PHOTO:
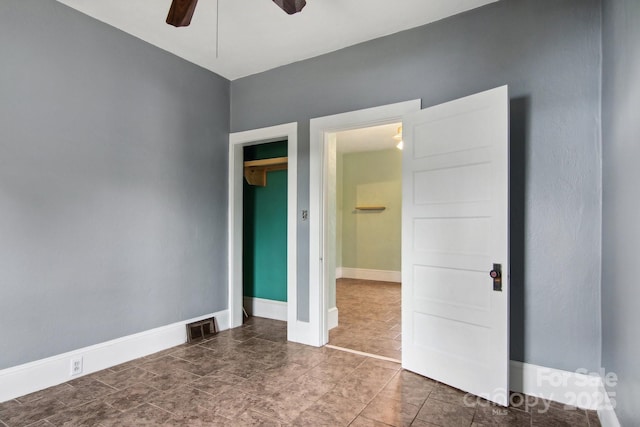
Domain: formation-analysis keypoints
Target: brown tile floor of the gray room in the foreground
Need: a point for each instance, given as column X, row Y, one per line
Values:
column 251, row 376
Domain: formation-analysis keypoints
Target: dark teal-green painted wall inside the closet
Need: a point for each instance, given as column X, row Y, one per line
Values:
column 265, row 229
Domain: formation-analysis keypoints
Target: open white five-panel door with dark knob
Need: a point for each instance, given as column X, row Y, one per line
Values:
column 455, row 326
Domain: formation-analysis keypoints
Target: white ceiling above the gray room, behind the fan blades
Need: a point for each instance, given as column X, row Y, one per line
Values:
column 256, row 35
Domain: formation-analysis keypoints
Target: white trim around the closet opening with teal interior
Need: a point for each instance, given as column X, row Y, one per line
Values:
column 237, row 141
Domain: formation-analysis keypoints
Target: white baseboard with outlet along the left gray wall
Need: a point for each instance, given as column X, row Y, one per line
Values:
column 40, row 374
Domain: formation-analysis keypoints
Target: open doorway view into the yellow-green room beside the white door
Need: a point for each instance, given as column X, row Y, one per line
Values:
column 368, row 222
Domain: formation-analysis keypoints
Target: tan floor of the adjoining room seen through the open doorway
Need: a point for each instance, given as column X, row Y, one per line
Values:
column 369, row 316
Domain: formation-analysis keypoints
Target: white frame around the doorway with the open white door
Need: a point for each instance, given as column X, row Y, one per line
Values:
column 319, row 134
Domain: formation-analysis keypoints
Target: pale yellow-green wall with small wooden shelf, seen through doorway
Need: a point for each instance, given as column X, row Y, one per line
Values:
column 371, row 240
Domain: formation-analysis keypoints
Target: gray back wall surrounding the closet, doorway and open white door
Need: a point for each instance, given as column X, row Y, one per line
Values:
column 548, row 52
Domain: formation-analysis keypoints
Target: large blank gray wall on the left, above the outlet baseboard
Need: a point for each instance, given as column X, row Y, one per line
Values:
column 113, row 184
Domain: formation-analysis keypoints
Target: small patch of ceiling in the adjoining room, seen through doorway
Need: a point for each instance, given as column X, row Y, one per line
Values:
column 373, row 138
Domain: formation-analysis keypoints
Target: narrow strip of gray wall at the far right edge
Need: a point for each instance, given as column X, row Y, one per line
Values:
column 621, row 203
